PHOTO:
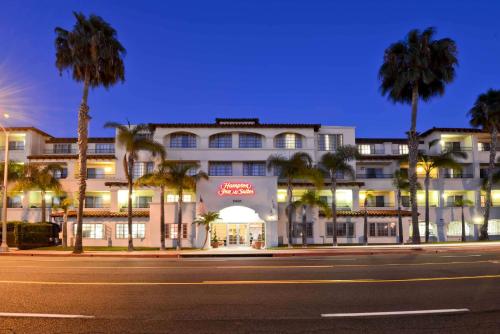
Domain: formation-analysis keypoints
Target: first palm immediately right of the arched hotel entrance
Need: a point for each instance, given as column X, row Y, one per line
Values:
column 295, row 167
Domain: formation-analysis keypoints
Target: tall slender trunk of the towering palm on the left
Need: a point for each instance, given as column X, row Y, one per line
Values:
column 83, row 123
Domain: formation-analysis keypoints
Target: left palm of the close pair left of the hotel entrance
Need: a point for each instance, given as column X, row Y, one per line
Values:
column 159, row 178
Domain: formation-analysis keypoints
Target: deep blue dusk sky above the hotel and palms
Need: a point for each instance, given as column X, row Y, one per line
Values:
column 281, row 61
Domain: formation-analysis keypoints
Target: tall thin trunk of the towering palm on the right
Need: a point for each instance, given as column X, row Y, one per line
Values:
column 412, row 165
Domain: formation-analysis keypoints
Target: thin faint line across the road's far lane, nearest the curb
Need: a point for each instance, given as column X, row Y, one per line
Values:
column 260, row 266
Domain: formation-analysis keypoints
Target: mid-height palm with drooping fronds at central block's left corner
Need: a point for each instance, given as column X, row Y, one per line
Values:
column 133, row 140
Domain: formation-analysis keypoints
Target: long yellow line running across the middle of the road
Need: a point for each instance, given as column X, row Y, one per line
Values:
column 263, row 282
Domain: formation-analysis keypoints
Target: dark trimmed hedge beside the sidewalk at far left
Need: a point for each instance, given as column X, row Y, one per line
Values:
column 31, row 235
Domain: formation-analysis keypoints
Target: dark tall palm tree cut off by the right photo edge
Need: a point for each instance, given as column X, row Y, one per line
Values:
column 485, row 114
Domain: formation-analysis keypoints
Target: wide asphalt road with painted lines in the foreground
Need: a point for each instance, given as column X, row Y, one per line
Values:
column 269, row 295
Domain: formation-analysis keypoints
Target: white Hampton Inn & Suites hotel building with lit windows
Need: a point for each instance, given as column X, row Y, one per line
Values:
column 250, row 198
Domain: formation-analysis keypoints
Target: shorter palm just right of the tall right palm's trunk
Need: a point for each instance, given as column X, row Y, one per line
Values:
column 429, row 163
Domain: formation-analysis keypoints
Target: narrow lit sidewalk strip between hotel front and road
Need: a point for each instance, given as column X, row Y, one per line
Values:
column 282, row 252
